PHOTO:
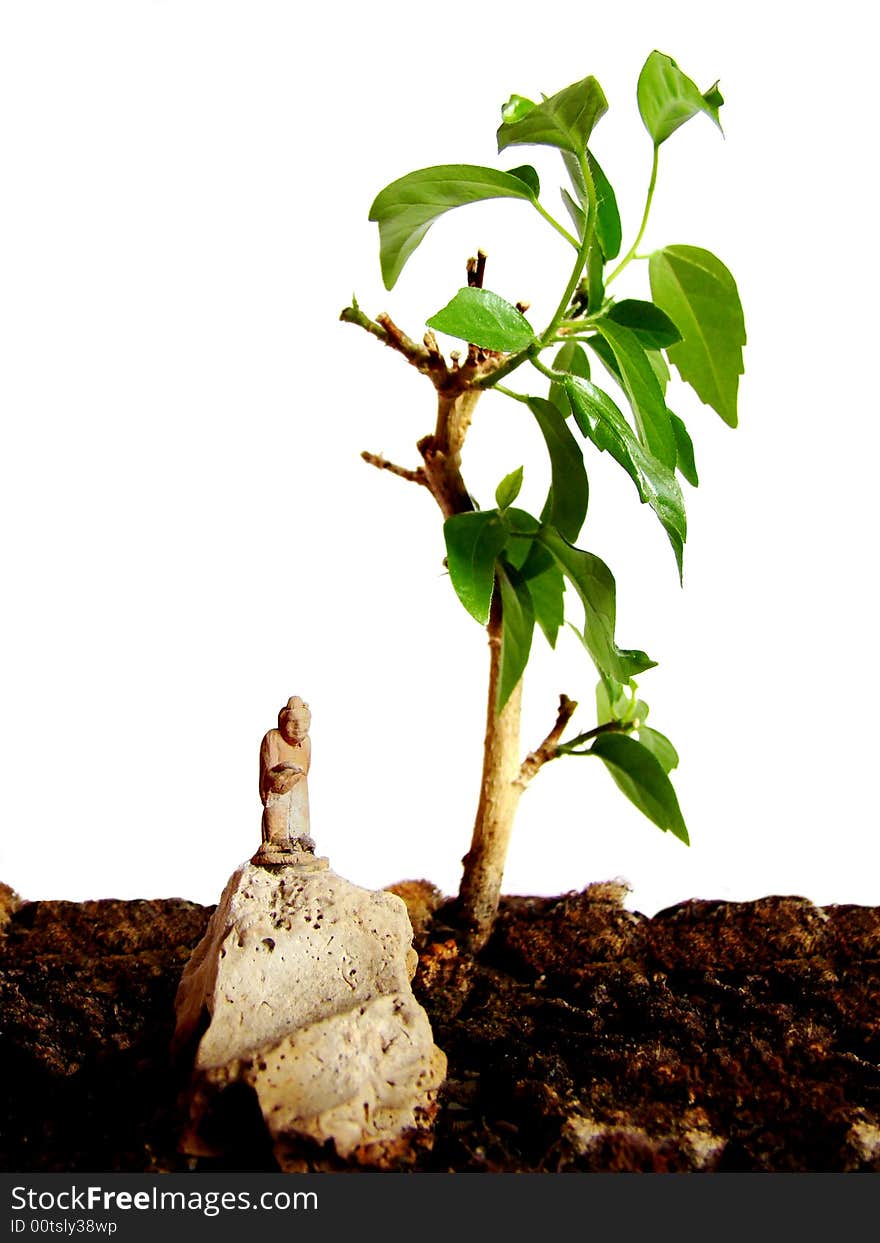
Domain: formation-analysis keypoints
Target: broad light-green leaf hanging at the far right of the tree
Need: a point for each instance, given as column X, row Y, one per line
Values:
column 700, row 295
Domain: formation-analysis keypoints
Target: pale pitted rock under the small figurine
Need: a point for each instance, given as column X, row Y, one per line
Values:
column 305, row 981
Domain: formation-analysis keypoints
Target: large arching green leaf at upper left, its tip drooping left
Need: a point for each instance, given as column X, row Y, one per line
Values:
column 407, row 208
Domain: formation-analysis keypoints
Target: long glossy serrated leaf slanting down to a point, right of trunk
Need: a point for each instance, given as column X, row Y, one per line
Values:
column 605, row 424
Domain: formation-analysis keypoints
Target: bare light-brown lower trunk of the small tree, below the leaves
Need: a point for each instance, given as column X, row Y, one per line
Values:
column 499, row 797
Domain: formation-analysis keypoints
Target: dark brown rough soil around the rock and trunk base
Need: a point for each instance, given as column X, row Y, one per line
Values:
column 713, row 1037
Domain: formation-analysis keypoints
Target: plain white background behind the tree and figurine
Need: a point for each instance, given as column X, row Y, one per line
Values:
column 190, row 535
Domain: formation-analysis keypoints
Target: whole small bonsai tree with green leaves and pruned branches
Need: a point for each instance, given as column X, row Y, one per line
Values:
column 511, row 569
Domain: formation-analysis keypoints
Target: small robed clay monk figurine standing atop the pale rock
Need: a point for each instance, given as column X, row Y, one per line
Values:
column 285, row 758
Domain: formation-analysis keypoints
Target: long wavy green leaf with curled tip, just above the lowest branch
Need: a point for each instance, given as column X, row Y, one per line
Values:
column 595, row 584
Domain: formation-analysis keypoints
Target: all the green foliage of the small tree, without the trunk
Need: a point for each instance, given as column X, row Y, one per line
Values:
column 692, row 321
